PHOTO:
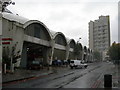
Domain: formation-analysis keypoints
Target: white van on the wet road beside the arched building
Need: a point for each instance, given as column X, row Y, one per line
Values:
column 77, row 63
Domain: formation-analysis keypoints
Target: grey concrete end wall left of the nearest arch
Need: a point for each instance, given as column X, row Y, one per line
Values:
column 13, row 30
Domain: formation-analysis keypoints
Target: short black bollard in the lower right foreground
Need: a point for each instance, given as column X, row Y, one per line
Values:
column 108, row 81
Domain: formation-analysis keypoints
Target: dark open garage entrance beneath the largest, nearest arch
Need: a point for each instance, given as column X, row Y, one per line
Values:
column 34, row 52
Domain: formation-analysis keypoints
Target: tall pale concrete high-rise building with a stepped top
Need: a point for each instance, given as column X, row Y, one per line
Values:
column 99, row 35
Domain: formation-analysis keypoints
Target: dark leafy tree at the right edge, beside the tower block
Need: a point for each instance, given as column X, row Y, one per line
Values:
column 114, row 52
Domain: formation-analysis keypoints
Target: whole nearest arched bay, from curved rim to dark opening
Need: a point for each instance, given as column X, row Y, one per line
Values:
column 36, row 43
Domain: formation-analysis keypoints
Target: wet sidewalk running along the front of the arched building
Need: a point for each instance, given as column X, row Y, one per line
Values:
column 21, row 74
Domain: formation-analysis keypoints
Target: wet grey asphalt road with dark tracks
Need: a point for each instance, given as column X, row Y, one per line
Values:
column 92, row 77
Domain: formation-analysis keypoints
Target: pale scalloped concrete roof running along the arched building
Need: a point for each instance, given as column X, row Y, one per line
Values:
column 26, row 22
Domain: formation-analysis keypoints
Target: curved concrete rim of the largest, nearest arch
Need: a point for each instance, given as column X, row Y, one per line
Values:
column 38, row 22
